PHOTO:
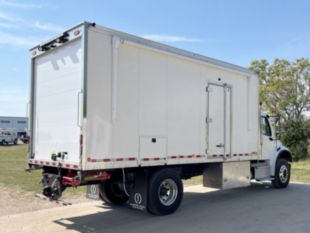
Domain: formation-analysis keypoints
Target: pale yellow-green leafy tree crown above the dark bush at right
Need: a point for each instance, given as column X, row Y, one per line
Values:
column 285, row 86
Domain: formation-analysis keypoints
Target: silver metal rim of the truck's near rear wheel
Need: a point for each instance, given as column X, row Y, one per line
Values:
column 167, row 192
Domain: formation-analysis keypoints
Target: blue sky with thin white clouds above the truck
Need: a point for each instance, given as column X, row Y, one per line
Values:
column 237, row 31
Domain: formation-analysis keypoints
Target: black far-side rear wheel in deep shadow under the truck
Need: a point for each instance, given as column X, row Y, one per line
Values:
column 111, row 193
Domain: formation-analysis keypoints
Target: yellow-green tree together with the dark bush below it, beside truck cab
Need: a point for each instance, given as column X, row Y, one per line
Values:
column 285, row 91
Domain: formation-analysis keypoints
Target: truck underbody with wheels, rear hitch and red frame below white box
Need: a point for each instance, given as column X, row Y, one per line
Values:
column 157, row 189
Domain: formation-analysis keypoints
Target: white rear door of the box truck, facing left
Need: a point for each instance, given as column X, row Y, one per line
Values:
column 57, row 99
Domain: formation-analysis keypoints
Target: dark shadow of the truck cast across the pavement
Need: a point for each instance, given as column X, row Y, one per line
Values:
column 258, row 208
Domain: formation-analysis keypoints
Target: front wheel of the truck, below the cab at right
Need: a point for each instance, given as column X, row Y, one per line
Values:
column 282, row 174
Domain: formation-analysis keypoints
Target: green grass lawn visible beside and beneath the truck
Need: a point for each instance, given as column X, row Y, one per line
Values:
column 13, row 162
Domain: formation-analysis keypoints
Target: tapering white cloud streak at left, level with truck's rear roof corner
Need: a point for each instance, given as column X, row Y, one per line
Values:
column 23, row 41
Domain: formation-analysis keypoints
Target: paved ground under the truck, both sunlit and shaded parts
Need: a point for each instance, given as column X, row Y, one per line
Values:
column 248, row 210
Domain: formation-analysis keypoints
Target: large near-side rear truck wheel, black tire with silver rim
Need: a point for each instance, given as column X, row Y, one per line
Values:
column 165, row 192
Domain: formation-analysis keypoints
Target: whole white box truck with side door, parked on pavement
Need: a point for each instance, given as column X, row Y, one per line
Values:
column 136, row 117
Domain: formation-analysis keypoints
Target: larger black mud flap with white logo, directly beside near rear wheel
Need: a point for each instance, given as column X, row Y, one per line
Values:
column 138, row 195
